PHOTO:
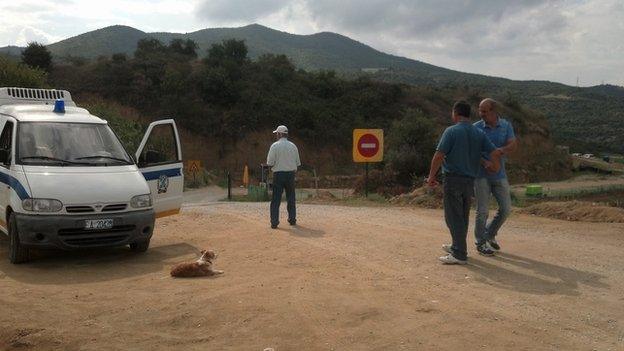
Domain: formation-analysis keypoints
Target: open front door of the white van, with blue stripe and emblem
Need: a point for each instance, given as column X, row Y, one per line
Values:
column 159, row 158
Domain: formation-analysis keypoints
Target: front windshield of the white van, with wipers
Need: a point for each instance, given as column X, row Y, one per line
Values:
column 69, row 144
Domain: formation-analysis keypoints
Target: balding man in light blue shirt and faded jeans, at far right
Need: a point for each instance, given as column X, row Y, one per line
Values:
column 501, row 134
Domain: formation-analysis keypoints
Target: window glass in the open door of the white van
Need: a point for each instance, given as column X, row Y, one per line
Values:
column 161, row 147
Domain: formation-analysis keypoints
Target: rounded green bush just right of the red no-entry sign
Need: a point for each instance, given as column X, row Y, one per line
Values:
column 411, row 143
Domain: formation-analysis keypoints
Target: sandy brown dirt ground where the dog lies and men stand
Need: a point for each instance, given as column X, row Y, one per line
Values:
column 347, row 278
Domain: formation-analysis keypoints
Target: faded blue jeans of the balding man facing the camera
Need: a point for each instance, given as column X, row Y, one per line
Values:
column 500, row 189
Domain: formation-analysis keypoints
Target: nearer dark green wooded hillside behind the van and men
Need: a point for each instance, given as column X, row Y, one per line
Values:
column 227, row 105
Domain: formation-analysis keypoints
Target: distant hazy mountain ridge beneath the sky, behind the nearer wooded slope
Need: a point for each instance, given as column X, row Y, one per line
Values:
column 586, row 119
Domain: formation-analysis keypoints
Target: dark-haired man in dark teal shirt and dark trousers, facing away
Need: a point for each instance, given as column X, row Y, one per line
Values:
column 459, row 153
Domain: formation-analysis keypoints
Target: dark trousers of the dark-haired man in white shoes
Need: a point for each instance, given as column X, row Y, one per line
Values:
column 457, row 196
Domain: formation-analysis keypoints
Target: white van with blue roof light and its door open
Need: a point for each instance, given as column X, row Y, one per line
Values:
column 67, row 182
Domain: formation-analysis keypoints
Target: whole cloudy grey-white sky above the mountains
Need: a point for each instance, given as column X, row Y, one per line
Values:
column 557, row 40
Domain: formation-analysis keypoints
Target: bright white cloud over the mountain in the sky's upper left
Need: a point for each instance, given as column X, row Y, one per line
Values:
column 53, row 20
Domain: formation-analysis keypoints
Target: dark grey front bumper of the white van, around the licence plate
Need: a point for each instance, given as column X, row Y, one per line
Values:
column 68, row 232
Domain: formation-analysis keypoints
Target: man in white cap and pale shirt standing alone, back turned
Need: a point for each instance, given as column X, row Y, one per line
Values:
column 283, row 158
